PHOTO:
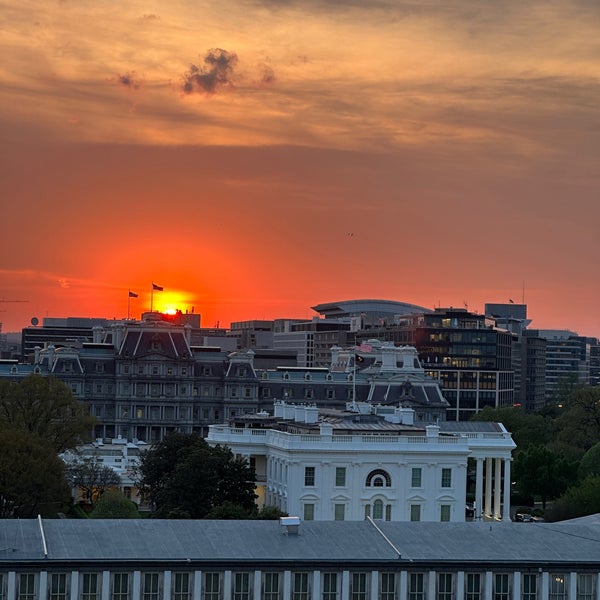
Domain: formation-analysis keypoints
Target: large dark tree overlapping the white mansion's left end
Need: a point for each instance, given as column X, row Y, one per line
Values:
column 183, row 475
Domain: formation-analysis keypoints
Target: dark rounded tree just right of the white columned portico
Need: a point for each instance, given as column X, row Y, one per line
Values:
column 541, row 472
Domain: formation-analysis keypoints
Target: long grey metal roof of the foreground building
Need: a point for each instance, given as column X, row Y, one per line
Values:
column 205, row 544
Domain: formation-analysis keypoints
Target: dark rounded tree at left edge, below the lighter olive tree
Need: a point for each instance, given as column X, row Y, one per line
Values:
column 32, row 477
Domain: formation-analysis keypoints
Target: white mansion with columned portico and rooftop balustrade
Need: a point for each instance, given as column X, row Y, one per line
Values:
column 371, row 461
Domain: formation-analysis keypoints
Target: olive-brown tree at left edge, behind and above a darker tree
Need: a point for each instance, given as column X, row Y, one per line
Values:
column 45, row 407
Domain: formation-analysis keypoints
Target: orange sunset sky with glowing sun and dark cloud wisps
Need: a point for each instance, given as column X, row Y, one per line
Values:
column 258, row 158
